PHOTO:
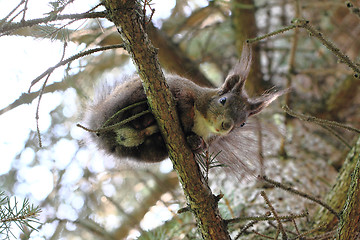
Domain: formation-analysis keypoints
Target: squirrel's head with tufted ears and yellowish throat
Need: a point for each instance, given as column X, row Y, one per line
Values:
column 229, row 106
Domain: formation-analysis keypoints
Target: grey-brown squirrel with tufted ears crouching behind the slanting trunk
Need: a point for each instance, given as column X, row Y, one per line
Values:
column 206, row 114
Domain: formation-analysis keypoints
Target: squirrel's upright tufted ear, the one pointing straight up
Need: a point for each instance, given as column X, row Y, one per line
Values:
column 236, row 79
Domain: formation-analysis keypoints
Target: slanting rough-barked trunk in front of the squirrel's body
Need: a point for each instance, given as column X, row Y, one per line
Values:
column 126, row 15
